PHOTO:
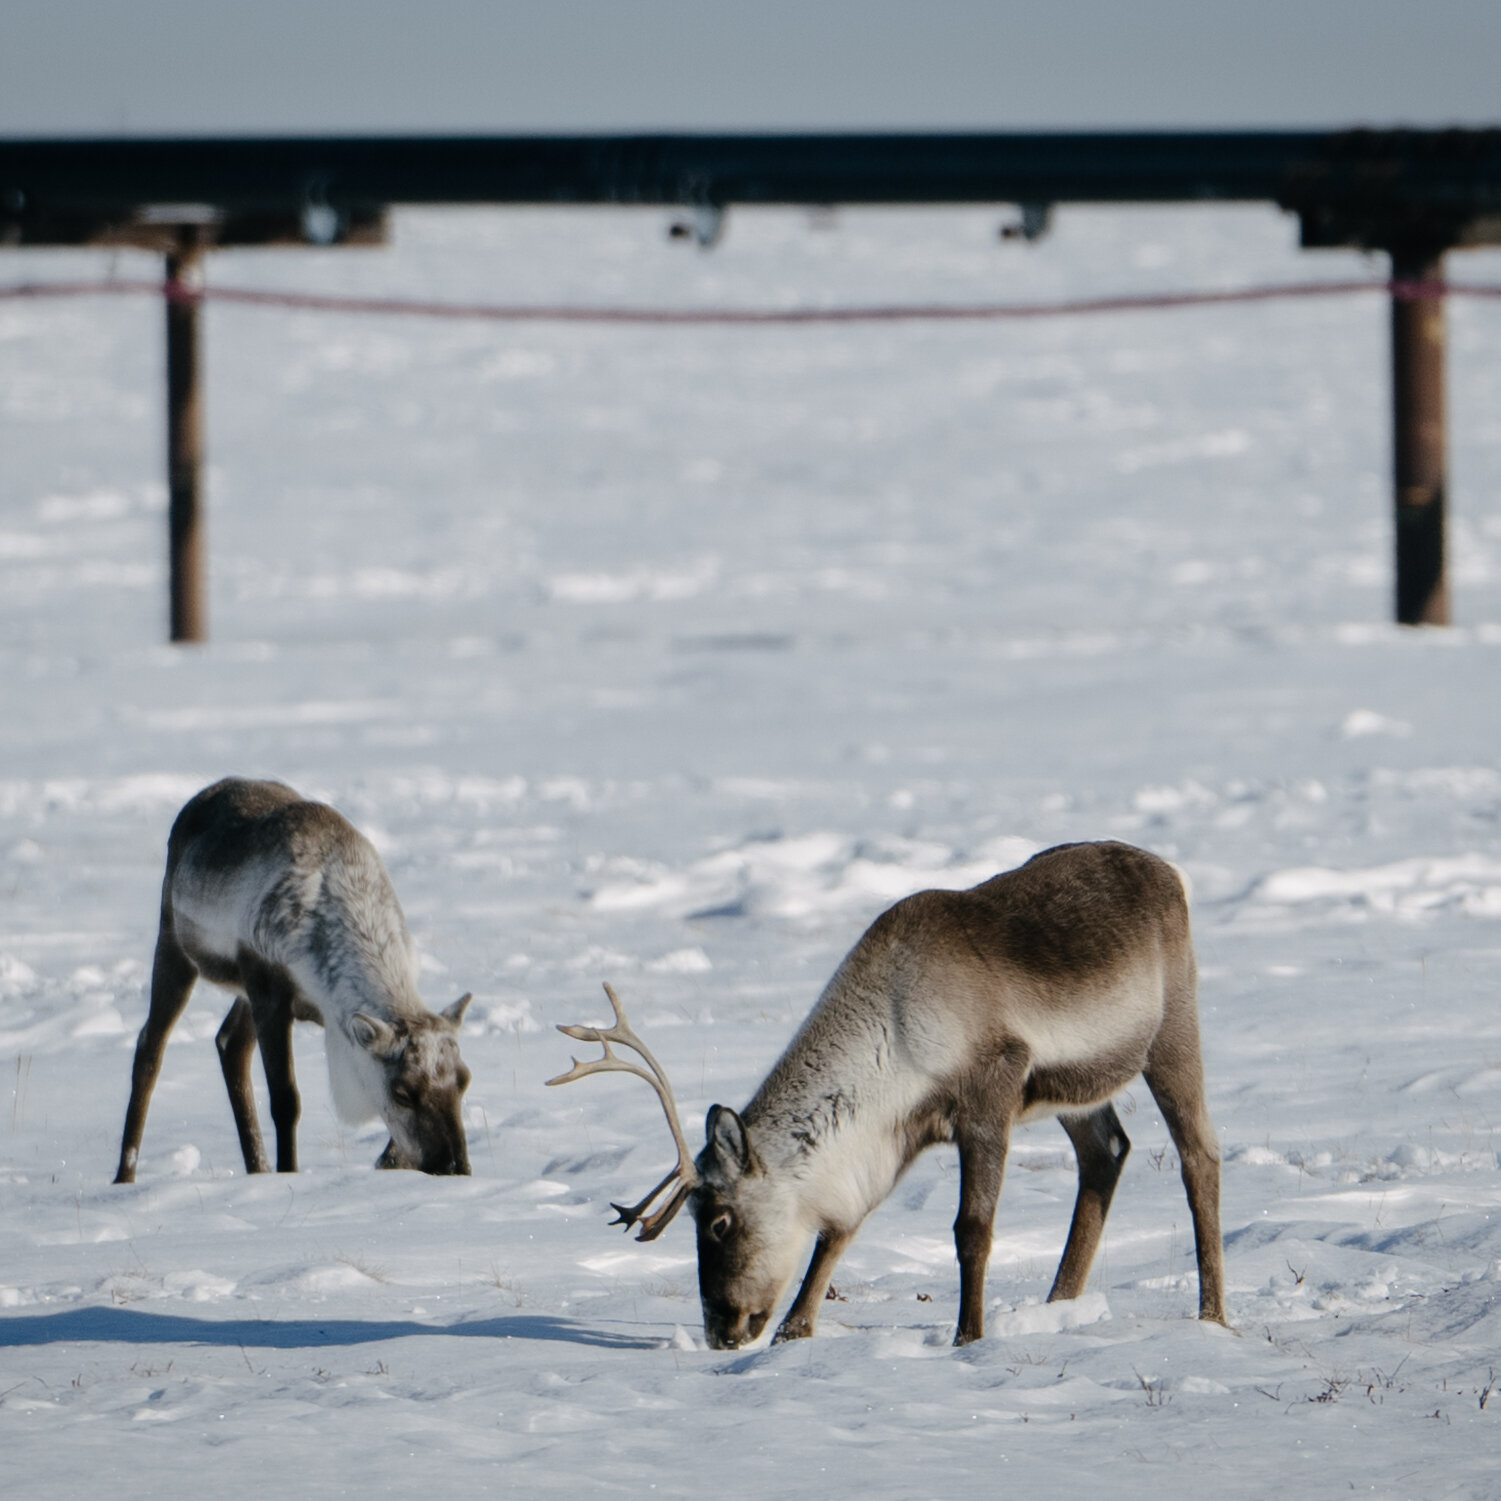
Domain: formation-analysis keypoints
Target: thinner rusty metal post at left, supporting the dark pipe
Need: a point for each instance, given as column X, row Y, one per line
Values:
column 190, row 615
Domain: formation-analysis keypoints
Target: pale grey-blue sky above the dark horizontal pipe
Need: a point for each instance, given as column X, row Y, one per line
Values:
column 211, row 67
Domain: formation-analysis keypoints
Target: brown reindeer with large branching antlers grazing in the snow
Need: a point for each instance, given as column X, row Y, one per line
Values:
column 1039, row 993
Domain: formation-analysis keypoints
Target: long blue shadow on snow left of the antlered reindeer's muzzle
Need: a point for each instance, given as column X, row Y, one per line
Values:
column 137, row 1328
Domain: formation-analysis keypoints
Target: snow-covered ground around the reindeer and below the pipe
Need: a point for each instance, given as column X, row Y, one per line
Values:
column 670, row 657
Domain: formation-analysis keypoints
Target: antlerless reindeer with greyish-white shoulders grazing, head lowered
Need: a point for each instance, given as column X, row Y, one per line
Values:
column 287, row 904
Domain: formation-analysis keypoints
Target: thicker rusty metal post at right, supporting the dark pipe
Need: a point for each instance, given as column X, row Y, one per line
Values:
column 1419, row 441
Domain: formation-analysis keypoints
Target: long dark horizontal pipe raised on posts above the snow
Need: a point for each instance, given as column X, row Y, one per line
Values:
column 1440, row 172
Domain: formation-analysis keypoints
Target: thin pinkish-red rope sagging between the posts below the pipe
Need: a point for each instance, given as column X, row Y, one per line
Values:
column 895, row 313
